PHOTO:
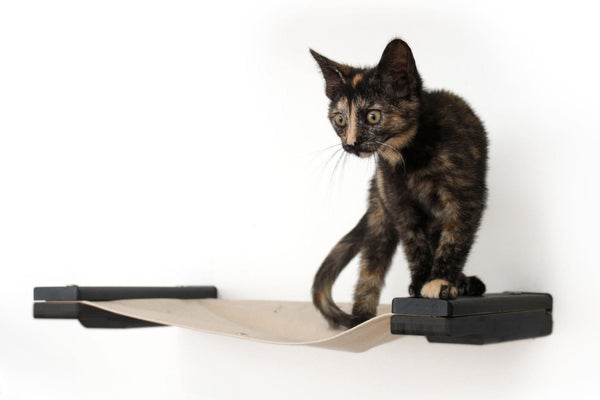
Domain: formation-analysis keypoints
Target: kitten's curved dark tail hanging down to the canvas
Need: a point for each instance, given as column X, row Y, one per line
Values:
column 336, row 261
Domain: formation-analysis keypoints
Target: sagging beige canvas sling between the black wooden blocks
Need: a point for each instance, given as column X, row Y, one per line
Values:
column 277, row 322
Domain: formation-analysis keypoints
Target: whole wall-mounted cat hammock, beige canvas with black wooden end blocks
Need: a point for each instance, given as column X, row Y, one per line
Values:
column 469, row 320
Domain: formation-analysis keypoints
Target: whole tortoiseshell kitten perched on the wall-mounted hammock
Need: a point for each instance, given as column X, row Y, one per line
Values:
column 428, row 191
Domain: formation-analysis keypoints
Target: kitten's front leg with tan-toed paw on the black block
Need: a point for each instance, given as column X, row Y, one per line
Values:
column 457, row 235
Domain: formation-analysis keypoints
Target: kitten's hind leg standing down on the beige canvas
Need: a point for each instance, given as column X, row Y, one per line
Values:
column 379, row 245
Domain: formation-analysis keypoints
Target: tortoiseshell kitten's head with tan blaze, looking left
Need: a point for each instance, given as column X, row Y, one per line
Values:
column 374, row 109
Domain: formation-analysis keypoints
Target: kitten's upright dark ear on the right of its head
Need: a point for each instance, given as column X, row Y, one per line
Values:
column 397, row 69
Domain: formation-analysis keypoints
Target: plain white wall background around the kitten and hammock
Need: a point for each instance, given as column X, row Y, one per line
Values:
column 169, row 143
